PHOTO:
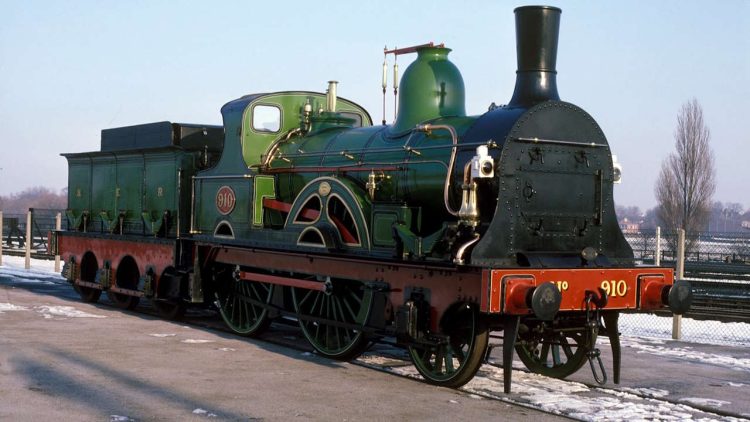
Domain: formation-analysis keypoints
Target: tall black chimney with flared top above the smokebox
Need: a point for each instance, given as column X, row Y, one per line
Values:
column 537, row 30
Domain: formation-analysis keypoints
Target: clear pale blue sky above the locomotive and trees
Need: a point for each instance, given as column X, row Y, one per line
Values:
column 71, row 68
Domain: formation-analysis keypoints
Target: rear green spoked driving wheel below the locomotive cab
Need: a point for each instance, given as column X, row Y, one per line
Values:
column 241, row 303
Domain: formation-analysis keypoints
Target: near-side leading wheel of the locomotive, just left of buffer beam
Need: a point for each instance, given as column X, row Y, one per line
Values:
column 459, row 350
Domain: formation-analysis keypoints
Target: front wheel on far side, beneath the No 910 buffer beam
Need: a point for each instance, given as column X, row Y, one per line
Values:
column 553, row 352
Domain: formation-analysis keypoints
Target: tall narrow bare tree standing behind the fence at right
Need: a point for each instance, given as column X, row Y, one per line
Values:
column 686, row 182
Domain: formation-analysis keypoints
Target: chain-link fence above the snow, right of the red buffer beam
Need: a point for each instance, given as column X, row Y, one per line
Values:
column 718, row 266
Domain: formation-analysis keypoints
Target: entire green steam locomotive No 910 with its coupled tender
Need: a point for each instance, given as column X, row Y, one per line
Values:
column 435, row 230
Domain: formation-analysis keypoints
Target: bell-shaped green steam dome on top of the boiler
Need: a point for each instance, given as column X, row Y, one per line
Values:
column 431, row 87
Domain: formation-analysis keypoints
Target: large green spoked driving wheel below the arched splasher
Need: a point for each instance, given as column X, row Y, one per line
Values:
column 323, row 315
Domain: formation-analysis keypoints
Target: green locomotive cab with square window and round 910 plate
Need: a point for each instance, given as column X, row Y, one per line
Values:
column 256, row 126
